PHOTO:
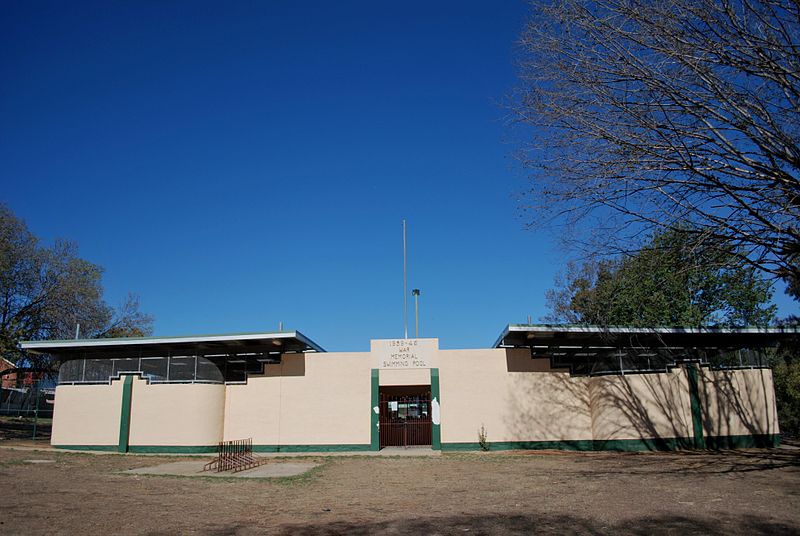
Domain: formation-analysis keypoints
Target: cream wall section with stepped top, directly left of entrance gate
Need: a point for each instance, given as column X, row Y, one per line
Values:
column 309, row 399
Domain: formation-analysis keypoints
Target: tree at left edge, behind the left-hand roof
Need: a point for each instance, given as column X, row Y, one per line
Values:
column 45, row 292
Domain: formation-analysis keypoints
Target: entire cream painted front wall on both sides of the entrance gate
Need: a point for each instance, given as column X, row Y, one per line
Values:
column 325, row 399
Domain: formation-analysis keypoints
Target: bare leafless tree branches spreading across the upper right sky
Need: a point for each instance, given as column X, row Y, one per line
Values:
column 640, row 116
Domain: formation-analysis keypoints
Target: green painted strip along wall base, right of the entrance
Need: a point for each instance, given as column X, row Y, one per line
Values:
column 626, row 445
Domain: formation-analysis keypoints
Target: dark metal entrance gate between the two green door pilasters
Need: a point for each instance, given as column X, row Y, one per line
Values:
column 405, row 420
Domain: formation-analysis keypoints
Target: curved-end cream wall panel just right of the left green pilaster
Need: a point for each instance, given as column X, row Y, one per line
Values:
column 176, row 414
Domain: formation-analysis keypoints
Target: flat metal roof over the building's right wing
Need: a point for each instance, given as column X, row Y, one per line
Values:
column 528, row 335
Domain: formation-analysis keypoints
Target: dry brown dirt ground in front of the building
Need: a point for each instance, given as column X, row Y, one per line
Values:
column 742, row 492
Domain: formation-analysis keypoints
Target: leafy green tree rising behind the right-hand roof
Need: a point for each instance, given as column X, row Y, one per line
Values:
column 668, row 282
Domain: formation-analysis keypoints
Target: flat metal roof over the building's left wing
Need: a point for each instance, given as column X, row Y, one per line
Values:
column 277, row 341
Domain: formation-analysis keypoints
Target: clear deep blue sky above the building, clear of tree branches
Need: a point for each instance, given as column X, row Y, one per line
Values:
column 238, row 164
